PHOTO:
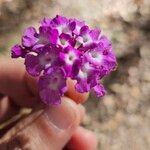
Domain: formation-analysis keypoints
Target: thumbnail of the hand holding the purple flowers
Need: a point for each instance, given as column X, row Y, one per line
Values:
column 62, row 116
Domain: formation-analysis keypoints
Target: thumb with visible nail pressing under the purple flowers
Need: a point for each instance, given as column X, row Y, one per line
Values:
column 46, row 129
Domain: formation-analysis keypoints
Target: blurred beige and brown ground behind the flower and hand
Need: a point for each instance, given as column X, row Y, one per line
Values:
column 121, row 119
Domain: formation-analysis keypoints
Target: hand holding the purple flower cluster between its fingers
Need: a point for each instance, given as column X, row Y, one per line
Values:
column 47, row 127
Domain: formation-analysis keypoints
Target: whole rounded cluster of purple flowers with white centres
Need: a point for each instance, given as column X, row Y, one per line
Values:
column 65, row 48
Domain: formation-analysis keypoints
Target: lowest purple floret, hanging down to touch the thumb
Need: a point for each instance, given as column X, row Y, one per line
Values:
column 52, row 85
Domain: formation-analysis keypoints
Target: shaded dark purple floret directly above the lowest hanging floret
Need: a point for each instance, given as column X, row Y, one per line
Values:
column 47, row 58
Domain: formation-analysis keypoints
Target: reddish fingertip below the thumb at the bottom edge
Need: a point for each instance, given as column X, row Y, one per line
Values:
column 82, row 139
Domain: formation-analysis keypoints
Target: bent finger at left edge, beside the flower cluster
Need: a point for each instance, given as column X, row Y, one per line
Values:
column 12, row 82
